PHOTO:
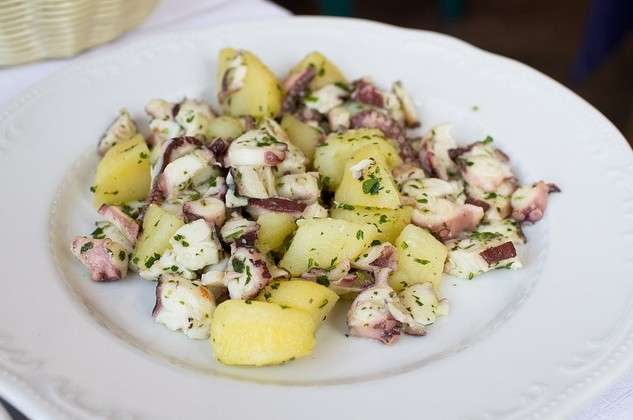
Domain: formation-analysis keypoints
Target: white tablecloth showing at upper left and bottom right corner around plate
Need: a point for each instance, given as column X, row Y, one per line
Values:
column 614, row 404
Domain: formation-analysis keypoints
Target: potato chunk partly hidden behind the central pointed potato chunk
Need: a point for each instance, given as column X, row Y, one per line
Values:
column 330, row 158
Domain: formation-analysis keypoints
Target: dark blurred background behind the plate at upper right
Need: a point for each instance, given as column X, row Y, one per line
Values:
column 585, row 44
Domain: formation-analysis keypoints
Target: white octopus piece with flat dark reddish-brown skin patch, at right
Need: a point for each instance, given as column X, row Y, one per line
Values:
column 480, row 252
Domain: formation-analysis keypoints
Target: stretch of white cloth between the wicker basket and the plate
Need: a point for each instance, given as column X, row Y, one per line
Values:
column 169, row 15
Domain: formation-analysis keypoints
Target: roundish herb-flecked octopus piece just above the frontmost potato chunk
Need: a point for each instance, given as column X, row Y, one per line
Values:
column 247, row 273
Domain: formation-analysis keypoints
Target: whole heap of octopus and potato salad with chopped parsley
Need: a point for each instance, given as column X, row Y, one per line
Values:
column 255, row 218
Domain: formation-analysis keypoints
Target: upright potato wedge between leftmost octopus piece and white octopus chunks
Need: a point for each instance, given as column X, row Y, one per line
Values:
column 158, row 227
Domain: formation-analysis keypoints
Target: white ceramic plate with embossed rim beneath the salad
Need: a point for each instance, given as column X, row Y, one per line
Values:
column 533, row 343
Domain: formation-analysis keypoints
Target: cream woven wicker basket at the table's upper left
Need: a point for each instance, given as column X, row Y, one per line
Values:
column 35, row 29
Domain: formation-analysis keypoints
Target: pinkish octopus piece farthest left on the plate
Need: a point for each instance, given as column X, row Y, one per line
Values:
column 106, row 260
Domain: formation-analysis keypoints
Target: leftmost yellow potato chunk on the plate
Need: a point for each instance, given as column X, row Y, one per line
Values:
column 123, row 174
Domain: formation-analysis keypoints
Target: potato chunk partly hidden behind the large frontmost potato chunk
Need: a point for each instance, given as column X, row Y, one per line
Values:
column 315, row 299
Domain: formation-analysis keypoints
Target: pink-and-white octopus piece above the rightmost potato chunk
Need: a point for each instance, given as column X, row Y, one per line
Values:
column 447, row 220
